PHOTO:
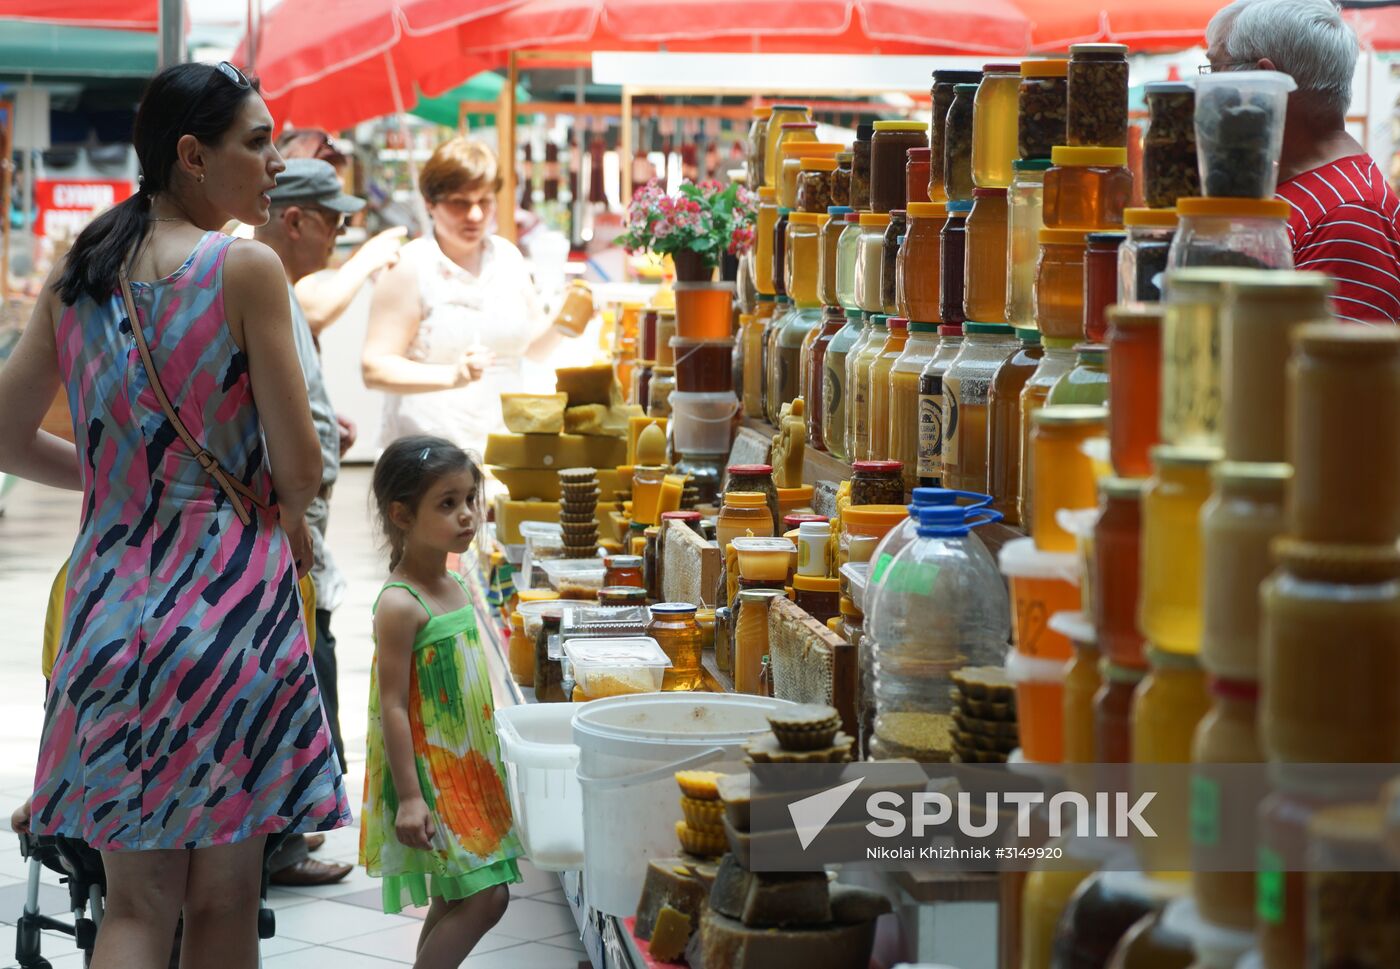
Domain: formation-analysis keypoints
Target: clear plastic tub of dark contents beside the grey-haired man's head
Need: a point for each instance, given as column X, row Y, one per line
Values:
column 1240, row 131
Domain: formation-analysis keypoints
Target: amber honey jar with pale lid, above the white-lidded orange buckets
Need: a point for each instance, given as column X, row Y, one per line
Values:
column 1062, row 470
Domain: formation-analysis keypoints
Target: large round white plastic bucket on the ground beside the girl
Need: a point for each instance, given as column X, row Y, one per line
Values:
column 631, row 748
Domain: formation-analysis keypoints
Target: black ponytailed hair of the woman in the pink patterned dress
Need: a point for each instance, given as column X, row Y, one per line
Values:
column 198, row 100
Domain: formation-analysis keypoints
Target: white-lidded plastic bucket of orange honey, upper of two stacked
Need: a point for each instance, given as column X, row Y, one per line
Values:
column 1042, row 585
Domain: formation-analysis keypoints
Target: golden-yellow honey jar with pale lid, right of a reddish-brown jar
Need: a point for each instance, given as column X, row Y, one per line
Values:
column 1170, row 610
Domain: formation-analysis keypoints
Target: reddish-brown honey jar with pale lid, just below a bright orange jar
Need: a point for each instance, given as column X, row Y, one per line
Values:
column 1116, row 547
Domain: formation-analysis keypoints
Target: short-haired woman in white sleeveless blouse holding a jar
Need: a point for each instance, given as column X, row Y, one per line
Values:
column 453, row 321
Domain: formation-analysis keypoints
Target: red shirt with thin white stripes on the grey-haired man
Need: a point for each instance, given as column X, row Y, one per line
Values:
column 1346, row 223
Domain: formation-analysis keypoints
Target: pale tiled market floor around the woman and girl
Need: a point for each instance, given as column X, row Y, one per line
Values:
column 332, row 928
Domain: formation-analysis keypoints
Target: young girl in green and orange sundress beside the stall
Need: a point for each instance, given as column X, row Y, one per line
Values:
column 436, row 821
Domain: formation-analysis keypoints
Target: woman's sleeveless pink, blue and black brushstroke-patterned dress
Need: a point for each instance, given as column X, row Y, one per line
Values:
column 184, row 711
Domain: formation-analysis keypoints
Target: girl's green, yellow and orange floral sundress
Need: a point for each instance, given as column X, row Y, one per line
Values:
column 460, row 772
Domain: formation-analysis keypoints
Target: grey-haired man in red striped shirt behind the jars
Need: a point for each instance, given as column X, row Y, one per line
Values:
column 1345, row 214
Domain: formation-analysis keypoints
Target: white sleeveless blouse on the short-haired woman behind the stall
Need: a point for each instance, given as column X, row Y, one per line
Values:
column 460, row 310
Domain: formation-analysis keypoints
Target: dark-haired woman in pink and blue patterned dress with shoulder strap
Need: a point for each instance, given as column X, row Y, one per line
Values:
column 183, row 725
